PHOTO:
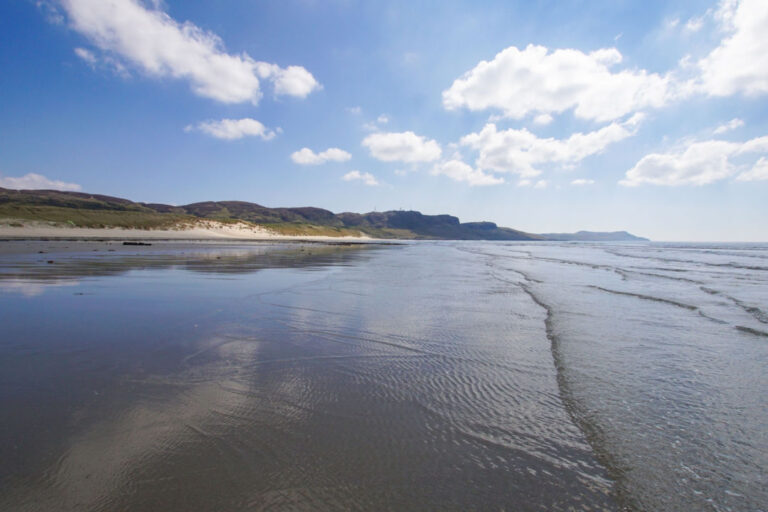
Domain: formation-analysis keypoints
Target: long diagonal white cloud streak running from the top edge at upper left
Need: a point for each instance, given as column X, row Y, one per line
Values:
column 152, row 41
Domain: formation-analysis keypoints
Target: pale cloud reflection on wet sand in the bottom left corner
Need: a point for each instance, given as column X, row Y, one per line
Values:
column 176, row 415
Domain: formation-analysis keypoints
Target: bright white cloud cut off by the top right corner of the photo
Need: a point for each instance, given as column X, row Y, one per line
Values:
column 740, row 63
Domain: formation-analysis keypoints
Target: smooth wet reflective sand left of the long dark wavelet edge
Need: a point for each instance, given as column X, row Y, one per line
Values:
column 274, row 376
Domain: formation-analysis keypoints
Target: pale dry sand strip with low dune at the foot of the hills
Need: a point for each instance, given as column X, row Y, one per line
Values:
column 201, row 231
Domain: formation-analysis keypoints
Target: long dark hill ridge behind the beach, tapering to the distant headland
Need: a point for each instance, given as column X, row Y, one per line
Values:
column 94, row 210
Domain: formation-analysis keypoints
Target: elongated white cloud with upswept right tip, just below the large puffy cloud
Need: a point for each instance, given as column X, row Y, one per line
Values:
column 522, row 152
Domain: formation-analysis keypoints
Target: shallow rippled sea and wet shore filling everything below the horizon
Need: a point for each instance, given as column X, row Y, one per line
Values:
column 422, row 376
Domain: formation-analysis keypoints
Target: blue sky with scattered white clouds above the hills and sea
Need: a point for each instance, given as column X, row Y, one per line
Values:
column 545, row 116
